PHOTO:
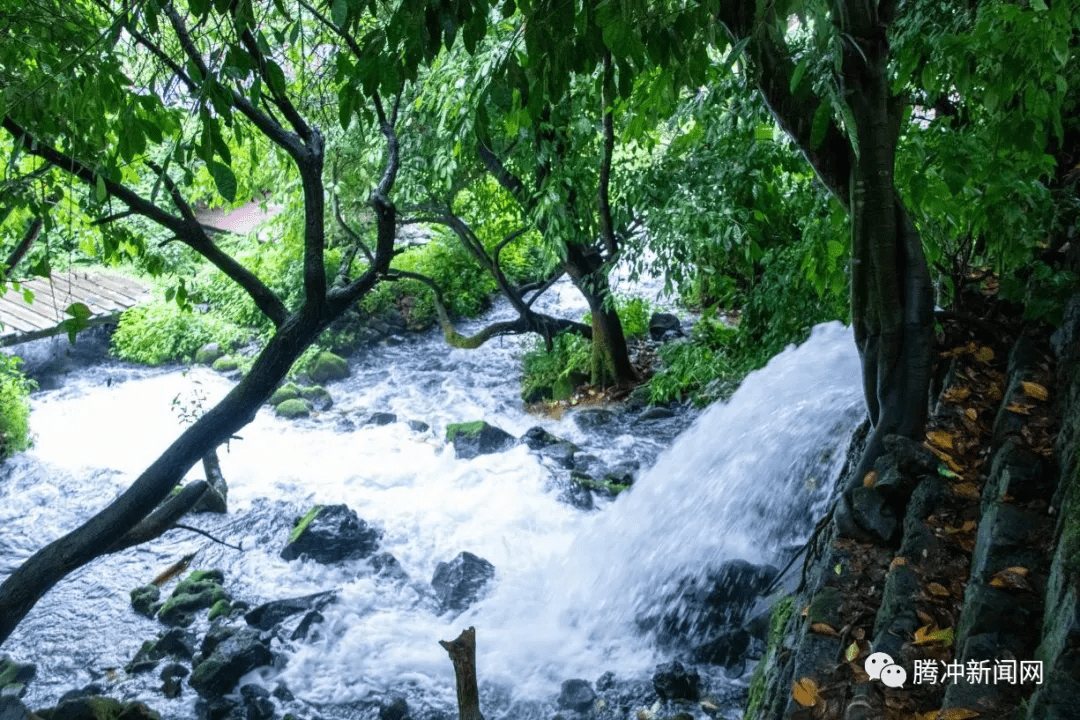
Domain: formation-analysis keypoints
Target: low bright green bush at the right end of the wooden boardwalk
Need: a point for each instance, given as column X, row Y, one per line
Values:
column 161, row 332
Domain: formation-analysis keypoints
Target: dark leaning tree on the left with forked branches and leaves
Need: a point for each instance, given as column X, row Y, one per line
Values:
column 222, row 70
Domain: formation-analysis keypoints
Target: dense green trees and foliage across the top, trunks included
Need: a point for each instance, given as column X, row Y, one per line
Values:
column 778, row 164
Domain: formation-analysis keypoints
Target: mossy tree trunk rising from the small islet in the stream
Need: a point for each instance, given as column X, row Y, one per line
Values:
column 611, row 361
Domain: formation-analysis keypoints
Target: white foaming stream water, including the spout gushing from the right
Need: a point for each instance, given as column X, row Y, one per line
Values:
column 742, row 482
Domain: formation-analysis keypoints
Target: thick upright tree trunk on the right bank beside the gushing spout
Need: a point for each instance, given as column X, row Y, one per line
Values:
column 892, row 295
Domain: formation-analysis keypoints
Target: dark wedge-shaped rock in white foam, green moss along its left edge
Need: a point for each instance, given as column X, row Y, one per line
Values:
column 332, row 534
